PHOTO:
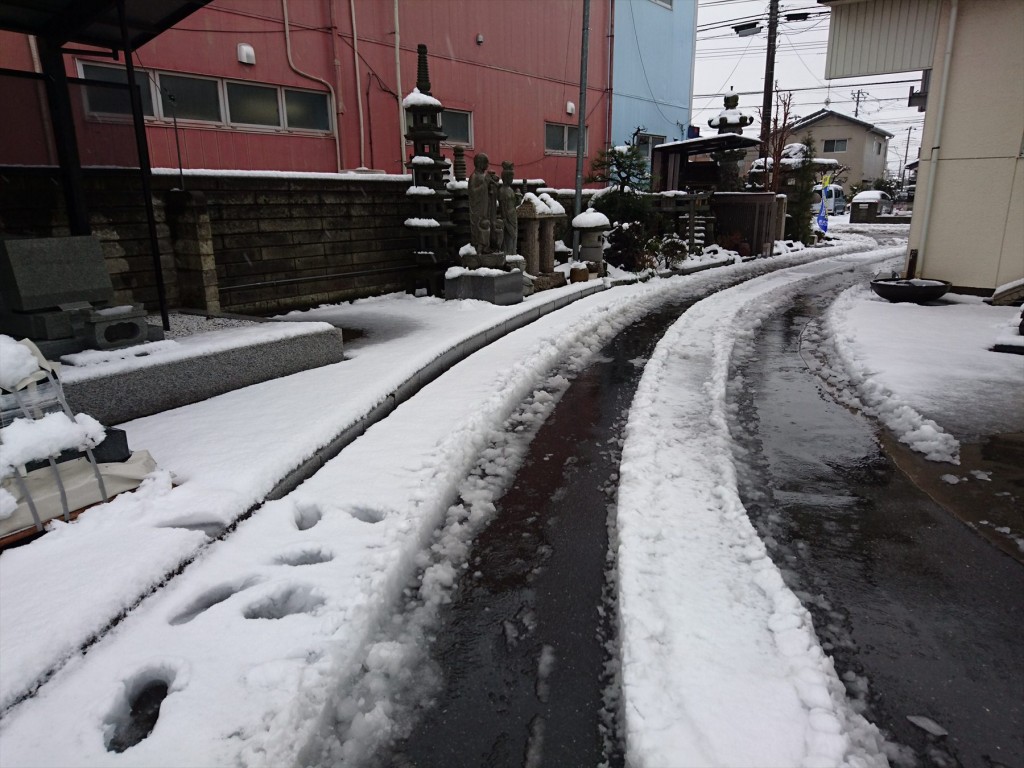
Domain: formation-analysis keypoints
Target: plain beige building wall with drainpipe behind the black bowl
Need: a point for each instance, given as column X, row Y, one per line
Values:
column 975, row 236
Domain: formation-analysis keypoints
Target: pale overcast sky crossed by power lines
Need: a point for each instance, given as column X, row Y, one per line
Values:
column 724, row 61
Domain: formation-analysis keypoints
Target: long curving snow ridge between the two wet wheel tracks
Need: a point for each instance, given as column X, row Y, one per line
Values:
column 720, row 662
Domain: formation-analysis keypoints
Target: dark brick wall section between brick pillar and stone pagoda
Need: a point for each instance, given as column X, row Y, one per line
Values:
column 283, row 244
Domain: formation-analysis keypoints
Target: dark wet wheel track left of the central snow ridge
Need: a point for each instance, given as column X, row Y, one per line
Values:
column 524, row 648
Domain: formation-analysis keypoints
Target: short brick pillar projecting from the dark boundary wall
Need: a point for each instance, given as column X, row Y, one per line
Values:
column 192, row 238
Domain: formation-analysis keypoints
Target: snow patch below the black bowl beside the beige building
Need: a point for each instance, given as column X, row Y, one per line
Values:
column 930, row 395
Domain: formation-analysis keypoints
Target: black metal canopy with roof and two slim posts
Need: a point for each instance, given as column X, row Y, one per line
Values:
column 120, row 26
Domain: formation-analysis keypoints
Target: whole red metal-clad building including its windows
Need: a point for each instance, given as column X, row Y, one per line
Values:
column 316, row 86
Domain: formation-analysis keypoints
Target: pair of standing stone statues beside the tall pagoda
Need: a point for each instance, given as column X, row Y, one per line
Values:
column 494, row 223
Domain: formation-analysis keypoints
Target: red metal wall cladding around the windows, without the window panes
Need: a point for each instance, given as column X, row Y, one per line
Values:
column 523, row 74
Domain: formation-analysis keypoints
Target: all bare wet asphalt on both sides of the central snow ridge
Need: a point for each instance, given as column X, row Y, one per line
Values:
column 923, row 617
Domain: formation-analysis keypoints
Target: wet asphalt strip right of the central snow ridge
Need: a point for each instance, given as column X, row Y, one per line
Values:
column 923, row 617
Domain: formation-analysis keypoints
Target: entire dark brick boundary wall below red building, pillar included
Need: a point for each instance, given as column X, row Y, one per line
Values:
column 237, row 244
